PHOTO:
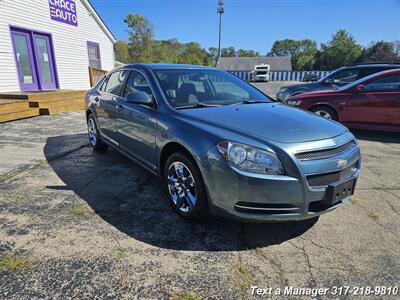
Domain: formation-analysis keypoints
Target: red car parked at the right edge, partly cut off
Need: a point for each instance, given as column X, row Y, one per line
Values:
column 369, row 103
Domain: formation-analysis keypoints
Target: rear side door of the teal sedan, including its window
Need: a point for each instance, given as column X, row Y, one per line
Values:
column 107, row 105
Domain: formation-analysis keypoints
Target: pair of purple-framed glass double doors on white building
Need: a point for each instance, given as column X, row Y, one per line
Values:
column 35, row 60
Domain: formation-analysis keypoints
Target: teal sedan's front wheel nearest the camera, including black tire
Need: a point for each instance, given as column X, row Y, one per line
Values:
column 185, row 187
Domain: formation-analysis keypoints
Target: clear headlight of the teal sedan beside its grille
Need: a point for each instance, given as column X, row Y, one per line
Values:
column 250, row 159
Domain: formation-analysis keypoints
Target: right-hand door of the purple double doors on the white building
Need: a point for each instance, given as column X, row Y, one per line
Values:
column 44, row 61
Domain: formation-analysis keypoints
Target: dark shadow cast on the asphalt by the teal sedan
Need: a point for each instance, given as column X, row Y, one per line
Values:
column 132, row 200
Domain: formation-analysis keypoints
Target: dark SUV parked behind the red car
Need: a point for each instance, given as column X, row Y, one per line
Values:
column 337, row 78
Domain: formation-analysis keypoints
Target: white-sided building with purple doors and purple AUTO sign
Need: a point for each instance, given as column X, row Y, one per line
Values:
column 49, row 44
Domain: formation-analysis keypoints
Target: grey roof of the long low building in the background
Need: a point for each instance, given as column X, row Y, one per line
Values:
column 277, row 63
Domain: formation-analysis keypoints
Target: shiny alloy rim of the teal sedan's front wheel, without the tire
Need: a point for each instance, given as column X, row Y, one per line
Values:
column 182, row 187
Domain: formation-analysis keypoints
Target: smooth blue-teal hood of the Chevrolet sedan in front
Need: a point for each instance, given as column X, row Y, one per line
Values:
column 270, row 122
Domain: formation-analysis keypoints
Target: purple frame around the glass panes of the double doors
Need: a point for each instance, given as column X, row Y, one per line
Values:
column 31, row 32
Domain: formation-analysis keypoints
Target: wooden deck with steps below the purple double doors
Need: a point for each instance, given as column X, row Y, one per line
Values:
column 20, row 105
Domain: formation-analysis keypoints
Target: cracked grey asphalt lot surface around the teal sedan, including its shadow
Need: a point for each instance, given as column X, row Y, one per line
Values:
column 98, row 226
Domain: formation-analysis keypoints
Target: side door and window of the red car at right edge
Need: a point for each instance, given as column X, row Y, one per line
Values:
column 378, row 105
